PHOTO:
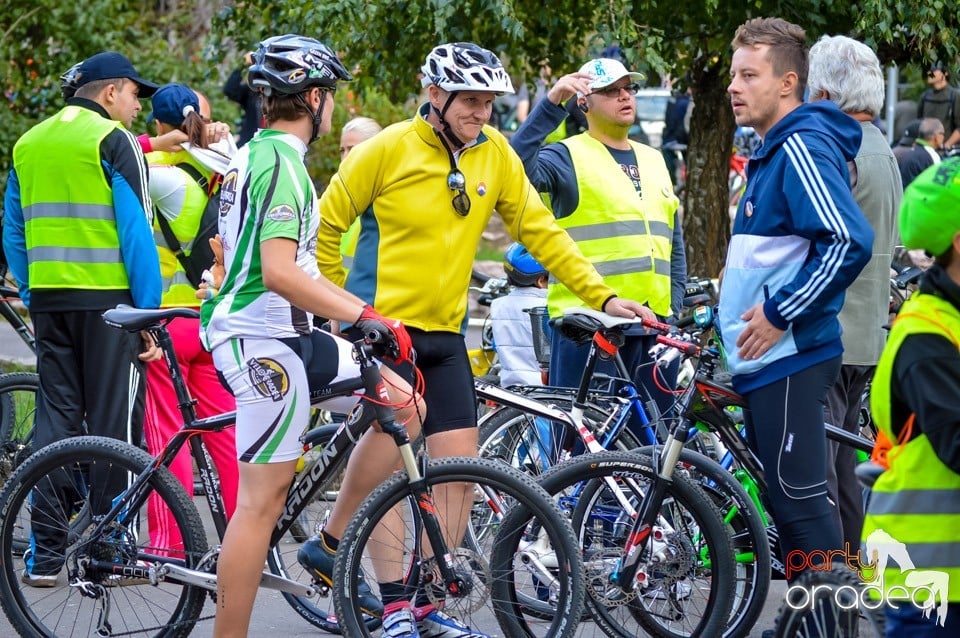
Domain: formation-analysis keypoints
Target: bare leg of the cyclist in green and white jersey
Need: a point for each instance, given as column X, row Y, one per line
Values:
column 261, row 495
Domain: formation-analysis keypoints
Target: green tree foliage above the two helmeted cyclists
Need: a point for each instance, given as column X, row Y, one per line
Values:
column 386, row 42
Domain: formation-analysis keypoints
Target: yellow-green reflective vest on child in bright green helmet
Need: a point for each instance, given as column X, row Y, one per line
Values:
column 916, row 501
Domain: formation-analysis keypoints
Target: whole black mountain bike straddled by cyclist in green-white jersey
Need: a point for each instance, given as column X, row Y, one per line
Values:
column 113, row 581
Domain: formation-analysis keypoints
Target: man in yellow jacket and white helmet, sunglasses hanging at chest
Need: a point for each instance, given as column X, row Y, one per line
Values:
column 424, row 190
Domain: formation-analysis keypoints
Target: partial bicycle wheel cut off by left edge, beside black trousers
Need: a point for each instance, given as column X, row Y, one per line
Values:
column 18, row 399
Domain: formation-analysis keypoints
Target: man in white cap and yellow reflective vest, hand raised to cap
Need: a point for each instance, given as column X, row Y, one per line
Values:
column 615, row 198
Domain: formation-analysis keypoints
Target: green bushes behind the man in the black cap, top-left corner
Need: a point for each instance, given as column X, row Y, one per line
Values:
column 43, row 38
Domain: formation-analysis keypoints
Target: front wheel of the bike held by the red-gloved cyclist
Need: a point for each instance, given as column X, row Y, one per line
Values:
column 529, row 549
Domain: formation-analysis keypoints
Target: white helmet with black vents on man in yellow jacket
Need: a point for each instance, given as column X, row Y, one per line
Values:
column 463, row 66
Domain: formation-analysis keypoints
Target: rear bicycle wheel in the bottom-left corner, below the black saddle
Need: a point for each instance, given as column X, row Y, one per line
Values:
column 110, row 581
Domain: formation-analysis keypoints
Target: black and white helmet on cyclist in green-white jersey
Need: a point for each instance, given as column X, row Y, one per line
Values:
column 291, row 64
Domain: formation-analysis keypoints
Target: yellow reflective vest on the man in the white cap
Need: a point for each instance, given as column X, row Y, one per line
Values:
column 627, row 237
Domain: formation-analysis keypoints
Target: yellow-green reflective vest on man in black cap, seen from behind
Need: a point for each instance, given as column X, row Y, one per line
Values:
column 69, row 221
